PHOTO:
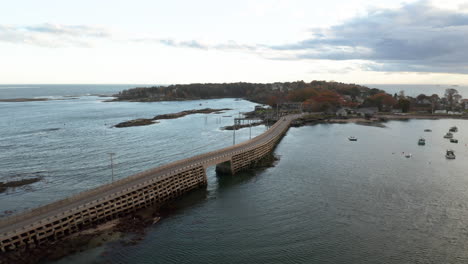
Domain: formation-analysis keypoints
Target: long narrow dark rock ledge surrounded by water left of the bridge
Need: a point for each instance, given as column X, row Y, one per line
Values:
column 154, row 120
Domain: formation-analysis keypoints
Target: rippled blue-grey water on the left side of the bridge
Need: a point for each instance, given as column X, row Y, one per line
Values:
column 67, row 142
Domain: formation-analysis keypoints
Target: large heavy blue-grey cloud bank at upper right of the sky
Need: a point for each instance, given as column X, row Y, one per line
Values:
column 416, row 37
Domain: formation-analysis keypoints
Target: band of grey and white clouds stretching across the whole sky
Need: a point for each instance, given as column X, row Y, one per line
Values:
column 414, row 38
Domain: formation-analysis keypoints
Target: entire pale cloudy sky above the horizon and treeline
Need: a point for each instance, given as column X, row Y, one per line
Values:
column 163, row 42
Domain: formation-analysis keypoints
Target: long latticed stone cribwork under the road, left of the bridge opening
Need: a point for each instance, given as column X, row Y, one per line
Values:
column 150, row 193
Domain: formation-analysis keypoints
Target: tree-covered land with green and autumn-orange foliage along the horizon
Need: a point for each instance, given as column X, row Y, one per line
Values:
column 315, row 96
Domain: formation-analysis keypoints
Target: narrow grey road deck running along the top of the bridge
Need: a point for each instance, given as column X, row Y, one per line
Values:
column 29, row 218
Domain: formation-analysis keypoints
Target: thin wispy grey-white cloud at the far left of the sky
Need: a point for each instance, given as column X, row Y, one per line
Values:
column 51, row 35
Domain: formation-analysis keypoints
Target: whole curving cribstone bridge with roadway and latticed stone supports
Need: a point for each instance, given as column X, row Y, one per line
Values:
column 152, row 187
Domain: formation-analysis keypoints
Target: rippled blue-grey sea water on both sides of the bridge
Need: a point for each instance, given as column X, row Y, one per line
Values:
column 327, row 200
